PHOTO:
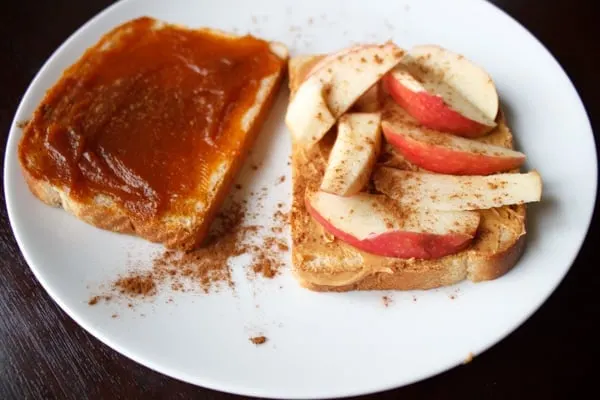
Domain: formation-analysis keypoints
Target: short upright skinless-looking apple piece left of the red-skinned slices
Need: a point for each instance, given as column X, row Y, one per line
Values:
column 354, row 153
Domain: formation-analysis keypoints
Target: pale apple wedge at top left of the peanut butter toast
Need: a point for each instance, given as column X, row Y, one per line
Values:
column 343, row 78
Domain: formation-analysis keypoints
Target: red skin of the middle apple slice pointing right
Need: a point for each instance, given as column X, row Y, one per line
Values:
column 448, row 161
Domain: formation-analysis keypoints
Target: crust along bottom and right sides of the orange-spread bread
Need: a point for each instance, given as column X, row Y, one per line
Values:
column 103, row 213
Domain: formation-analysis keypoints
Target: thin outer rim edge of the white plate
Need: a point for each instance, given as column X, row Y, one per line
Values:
column 255, row 391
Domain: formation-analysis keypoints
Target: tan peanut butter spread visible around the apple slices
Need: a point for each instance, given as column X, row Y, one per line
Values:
column 317, row 254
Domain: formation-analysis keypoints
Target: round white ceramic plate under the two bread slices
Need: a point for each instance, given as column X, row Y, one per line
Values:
column 325, row 344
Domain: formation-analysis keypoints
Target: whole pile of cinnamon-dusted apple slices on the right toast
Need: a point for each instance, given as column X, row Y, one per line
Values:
column 441, row 103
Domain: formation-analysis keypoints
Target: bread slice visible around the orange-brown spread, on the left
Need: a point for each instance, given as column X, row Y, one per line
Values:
column 185, row 222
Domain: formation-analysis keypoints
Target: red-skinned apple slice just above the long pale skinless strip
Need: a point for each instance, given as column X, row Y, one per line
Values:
column 445, row 153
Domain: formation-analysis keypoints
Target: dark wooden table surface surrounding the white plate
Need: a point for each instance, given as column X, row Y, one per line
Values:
column 44, row 354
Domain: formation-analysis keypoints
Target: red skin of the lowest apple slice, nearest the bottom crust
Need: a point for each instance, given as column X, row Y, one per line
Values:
column 398, row 244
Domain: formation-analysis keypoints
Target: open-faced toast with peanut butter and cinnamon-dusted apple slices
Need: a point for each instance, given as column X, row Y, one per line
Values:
column 404, row 172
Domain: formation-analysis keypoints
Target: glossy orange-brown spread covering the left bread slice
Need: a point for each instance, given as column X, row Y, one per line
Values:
column 146, row 115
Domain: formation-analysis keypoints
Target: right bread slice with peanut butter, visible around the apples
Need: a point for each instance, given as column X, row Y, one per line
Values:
column 323, row 263
